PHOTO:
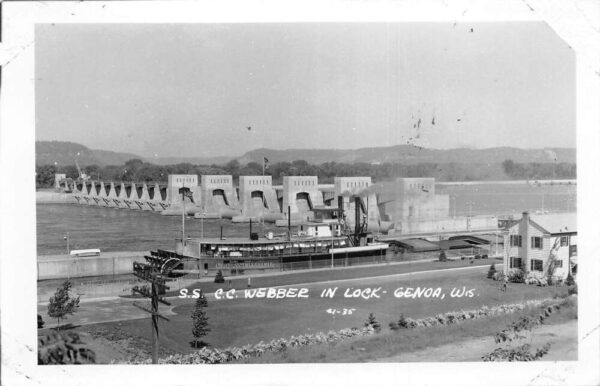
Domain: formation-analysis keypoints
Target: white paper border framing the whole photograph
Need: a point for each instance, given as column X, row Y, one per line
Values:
column 572, row 20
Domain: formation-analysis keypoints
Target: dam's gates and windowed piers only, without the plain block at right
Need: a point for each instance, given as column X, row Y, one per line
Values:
column 215, row 196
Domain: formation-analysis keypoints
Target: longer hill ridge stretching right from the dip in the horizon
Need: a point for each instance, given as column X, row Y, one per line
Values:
column 411, row 154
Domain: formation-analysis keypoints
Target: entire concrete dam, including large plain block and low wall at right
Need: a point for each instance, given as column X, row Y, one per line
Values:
column 405, row 206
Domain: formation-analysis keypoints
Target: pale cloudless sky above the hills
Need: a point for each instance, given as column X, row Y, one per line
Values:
column 224, row 89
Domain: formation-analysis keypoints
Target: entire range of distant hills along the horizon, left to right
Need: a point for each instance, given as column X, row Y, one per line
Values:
column 48, row 152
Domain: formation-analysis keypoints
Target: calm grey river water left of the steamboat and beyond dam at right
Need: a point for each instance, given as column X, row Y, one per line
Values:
column 127, row 230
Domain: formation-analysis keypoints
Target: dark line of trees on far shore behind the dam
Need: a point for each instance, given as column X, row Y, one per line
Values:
column 137, row 170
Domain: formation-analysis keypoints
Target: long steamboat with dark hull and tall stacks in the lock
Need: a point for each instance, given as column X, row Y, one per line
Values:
column 327, row 238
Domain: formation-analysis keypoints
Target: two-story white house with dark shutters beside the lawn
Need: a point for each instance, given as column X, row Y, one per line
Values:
column 537, row 243
